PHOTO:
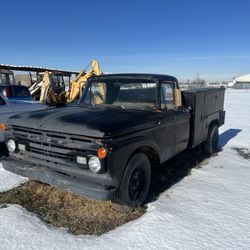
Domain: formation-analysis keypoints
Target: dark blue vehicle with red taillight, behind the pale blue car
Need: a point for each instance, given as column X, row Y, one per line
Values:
column 15, row 92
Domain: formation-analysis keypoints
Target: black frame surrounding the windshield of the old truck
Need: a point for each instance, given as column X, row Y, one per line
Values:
column 106, row 79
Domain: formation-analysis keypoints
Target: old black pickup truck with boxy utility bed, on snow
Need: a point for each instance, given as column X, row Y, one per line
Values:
column 123, row 126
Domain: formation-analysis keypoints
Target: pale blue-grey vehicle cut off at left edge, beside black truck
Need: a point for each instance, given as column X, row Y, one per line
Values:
column 9, row 108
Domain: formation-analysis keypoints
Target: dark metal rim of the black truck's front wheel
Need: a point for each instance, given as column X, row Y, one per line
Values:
column 136, row 185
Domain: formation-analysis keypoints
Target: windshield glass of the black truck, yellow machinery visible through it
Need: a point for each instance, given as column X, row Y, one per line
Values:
column 132, row 93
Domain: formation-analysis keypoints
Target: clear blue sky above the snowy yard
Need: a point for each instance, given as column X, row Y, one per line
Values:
column 181, row 38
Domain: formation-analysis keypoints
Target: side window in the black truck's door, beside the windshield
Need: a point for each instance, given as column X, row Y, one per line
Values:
column 167, row 96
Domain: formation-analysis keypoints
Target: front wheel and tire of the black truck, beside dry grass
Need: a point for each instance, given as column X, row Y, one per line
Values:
column 135, row 182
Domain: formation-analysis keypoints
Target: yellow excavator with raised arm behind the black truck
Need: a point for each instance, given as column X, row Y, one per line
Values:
column 51, row 94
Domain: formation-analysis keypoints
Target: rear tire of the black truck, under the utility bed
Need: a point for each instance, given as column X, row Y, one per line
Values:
column 211, row 143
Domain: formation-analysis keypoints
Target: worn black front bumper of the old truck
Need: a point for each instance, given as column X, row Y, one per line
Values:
column 96, row 187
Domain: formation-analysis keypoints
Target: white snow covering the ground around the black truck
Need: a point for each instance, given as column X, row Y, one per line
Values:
column 209, row 209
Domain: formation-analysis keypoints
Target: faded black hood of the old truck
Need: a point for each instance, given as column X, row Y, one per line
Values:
column 93, row 121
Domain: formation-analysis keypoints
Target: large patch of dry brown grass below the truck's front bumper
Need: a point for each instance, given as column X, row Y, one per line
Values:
column 63, row 209
